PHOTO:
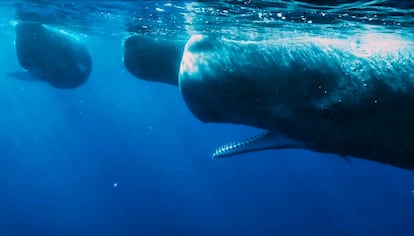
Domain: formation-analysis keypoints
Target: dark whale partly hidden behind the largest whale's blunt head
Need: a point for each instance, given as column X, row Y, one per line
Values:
column 153, row 59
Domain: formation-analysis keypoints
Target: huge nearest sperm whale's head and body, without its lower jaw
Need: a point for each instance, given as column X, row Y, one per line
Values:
column 348, row 101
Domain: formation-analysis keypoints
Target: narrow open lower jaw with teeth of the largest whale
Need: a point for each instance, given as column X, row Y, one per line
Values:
column 263, row 141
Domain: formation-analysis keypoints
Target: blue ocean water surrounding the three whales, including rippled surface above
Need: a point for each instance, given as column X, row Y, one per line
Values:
column 122, row 156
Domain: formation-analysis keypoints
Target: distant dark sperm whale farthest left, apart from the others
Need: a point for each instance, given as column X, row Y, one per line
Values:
column 52, row 56
